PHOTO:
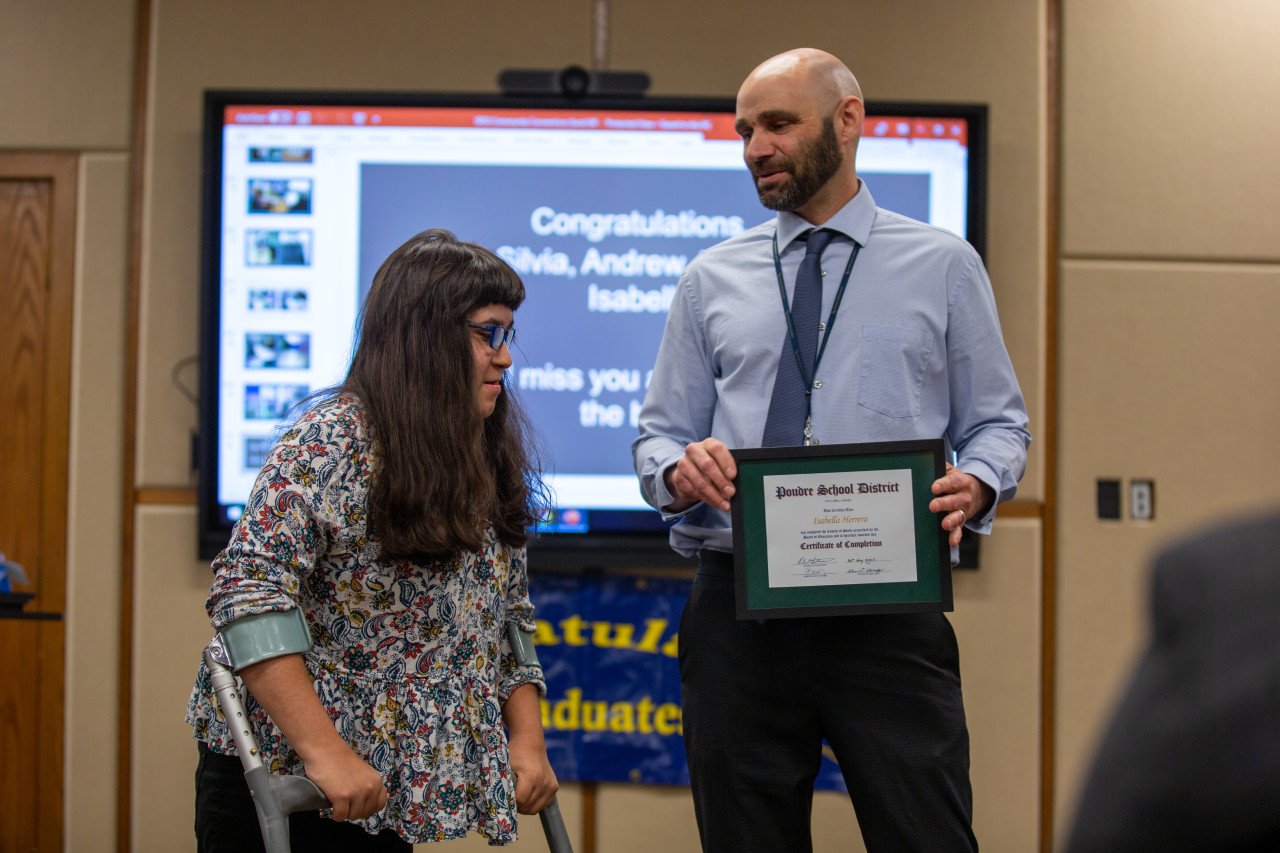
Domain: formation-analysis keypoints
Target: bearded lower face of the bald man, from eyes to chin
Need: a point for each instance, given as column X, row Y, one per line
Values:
column 796, row 167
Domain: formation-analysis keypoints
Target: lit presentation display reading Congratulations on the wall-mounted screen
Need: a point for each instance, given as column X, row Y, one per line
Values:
column 600, row 213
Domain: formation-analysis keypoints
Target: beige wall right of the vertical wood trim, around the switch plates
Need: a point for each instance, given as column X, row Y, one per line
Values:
column 1171, row 282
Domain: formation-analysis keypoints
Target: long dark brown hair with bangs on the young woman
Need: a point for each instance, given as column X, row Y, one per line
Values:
column 441, row 468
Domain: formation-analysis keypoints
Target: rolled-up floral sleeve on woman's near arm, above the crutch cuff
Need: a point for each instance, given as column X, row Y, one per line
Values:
column 285, row 527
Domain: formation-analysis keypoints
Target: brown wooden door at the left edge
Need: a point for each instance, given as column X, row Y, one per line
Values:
column 36, row 231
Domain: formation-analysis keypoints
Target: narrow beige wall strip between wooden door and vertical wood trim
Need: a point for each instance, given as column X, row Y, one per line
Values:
column 95, row 501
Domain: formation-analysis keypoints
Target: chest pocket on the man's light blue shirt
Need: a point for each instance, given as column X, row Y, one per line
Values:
column 894, row 362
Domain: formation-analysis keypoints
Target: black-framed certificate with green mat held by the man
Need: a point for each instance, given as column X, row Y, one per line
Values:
column 839, row 530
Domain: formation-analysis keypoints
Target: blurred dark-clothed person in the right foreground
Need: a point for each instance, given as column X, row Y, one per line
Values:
column 1192, row 759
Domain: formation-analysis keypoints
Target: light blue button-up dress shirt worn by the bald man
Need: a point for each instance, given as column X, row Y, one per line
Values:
column 916, row 353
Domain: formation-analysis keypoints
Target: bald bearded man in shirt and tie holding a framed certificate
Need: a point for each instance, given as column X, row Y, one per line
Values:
column 916, row 353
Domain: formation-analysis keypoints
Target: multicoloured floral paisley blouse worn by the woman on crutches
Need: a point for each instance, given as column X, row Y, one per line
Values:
column 410, row 660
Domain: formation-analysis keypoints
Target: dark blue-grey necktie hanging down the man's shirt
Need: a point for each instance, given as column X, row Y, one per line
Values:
column 785, row 423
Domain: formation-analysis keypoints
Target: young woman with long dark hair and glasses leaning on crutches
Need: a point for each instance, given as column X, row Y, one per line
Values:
column 394, row 518
